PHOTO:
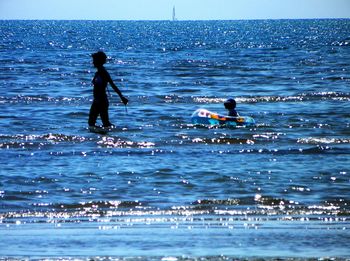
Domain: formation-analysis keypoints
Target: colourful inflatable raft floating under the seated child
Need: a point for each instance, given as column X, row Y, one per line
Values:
column 205, row 117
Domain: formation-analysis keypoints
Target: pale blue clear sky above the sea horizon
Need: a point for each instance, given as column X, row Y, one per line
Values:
column 162, row 9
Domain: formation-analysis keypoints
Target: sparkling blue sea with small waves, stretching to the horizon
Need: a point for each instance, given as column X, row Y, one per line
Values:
column 158, row 187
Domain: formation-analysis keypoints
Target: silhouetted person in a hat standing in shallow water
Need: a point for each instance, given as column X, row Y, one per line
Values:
column 100, row 103
